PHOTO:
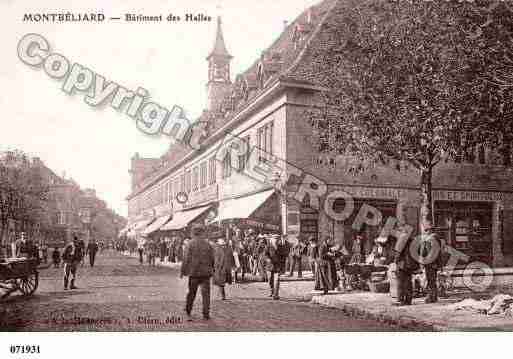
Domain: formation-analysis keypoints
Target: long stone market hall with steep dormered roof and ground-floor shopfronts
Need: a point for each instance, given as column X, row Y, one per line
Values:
column 267, row 107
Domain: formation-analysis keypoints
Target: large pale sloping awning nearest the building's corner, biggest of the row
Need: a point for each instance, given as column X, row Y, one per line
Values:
column 243, row 207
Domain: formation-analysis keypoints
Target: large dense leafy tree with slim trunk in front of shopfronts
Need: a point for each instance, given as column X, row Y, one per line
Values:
column 410, row 83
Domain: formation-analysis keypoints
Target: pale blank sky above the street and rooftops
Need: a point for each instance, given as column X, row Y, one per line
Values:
column 94, row 145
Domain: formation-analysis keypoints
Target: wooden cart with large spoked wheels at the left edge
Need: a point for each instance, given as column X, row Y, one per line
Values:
column 18, row 275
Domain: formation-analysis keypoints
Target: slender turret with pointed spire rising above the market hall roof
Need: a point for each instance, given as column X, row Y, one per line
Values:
column 218, row 71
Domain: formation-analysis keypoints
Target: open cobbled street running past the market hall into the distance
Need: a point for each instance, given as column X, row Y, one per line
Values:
column 119, row 294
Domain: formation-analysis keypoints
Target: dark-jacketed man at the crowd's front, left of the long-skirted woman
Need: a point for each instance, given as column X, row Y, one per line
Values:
column 277, row 252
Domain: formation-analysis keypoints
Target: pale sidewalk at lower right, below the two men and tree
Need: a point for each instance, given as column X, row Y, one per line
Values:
column 420, row 316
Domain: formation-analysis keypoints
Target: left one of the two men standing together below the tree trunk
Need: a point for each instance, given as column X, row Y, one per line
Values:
column 405, row 265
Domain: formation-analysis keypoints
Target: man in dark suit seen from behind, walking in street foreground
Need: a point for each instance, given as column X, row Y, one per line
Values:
column 198, row 265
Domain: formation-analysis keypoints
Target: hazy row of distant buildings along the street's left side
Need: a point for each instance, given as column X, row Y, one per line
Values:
column 67, row 211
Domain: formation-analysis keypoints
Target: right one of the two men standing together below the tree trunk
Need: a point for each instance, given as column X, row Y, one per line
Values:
column 430, row 252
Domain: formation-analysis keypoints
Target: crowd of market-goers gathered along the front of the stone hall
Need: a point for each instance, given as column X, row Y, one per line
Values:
column 229, row 257
